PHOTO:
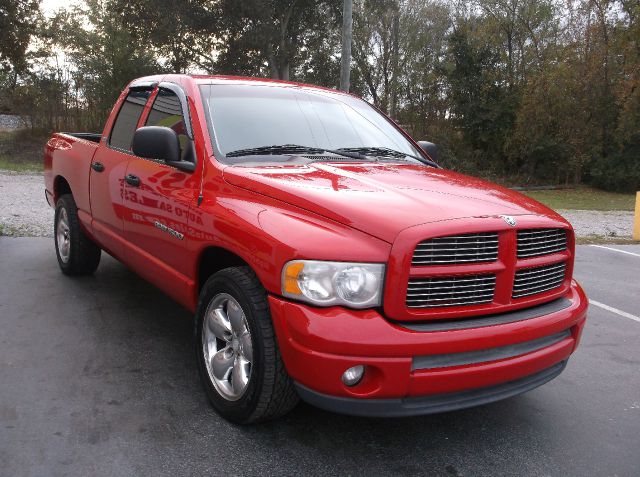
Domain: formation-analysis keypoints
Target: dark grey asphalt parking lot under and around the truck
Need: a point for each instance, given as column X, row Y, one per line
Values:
column 97, row 377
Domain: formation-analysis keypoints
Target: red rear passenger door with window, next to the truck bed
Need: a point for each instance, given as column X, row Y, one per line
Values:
column 108, row 169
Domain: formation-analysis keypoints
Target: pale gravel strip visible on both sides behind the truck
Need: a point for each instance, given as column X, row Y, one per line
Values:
column 24, row 212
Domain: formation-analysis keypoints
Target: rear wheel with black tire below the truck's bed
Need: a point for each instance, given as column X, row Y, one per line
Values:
column 77, row 254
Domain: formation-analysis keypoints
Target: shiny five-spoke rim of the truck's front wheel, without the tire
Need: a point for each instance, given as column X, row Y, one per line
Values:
column 227, row 346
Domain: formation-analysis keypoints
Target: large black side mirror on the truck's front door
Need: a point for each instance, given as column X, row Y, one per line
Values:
column 156, row 142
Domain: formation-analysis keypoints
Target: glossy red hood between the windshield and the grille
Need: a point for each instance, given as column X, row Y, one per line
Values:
column 383, row 199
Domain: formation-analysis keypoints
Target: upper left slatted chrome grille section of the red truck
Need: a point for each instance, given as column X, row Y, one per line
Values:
column 479, row 247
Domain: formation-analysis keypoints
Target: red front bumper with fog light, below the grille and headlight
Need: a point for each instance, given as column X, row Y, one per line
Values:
column 413, row 370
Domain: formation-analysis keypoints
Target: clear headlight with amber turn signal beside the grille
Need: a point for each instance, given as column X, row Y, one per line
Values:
column 356, row 285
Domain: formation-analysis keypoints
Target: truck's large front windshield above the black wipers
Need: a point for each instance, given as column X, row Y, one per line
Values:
column 243, row 117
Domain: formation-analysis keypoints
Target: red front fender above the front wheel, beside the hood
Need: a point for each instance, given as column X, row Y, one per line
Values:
column 266, row 236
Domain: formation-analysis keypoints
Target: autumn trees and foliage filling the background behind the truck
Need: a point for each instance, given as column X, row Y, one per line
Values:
column 529, row 91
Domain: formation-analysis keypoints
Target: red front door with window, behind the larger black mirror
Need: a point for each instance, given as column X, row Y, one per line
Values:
column 158, row 200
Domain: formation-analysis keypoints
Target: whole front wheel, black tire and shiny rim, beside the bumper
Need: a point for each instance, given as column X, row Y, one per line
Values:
column 237, row 351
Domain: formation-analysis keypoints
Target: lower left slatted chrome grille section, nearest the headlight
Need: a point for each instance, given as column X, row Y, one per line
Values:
column 450, row 291
